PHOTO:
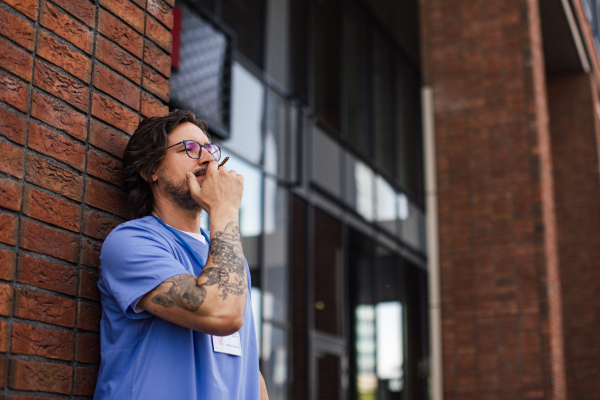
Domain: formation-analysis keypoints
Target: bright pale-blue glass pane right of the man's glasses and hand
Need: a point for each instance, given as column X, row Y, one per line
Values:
column 247, row 105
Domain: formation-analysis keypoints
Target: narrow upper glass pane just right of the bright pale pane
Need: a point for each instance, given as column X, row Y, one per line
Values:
column 275, row 136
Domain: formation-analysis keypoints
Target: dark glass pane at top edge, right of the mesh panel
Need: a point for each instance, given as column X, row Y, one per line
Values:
column 247, row 19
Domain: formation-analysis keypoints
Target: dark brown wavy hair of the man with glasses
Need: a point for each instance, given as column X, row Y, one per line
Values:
column 145, row 150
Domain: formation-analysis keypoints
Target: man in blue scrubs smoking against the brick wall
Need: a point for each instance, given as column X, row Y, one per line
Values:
column 177, row 321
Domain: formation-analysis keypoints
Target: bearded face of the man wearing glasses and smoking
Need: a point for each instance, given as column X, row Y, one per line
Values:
column 170, row 176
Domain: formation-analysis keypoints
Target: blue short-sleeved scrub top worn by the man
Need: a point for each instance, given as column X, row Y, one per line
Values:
column 146, row 357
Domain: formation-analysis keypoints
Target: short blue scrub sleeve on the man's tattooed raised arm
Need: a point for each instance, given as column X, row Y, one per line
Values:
column 134, row 260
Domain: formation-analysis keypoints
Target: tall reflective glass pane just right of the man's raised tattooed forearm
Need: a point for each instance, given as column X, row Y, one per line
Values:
column 275, row 253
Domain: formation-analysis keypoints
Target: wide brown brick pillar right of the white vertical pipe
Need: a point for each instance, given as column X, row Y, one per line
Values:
column 500, row 287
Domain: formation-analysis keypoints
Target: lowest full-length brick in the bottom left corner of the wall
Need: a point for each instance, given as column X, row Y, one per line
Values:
column 37, row 376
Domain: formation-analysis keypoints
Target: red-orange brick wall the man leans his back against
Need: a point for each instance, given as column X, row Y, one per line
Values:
column 75, row 79
